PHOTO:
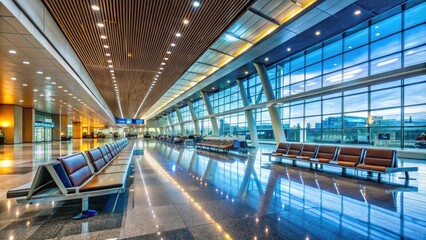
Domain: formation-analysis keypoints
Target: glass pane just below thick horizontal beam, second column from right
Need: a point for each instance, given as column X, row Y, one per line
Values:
column 386, row 98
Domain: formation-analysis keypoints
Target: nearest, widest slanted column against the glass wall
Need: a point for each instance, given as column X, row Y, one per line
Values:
column 273, row 111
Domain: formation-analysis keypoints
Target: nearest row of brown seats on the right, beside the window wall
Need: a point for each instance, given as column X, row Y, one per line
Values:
column 367, row 159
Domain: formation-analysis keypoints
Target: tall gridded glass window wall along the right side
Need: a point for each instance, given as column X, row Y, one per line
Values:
column 390, row 114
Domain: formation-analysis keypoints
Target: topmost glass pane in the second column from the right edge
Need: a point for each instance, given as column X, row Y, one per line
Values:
column 386, row 27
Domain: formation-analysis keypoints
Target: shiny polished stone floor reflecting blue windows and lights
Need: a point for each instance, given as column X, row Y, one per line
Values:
column 178, row 193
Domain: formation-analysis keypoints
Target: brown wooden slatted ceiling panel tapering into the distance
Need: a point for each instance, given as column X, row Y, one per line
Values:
column 146, row 28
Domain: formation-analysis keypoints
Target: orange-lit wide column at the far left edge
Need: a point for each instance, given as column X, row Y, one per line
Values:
column 11, row 123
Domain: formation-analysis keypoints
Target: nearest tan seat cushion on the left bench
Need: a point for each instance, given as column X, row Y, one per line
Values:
column 104, row 181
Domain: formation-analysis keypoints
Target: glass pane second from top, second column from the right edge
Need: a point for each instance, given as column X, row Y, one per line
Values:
column 386, row 46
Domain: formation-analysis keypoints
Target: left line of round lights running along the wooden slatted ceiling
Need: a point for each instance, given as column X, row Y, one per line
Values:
column 101, row 26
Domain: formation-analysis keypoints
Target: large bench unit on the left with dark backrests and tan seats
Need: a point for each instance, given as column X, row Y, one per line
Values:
column 78, row 176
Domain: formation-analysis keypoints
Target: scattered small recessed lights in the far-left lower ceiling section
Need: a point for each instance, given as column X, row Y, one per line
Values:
column 49, row 95
